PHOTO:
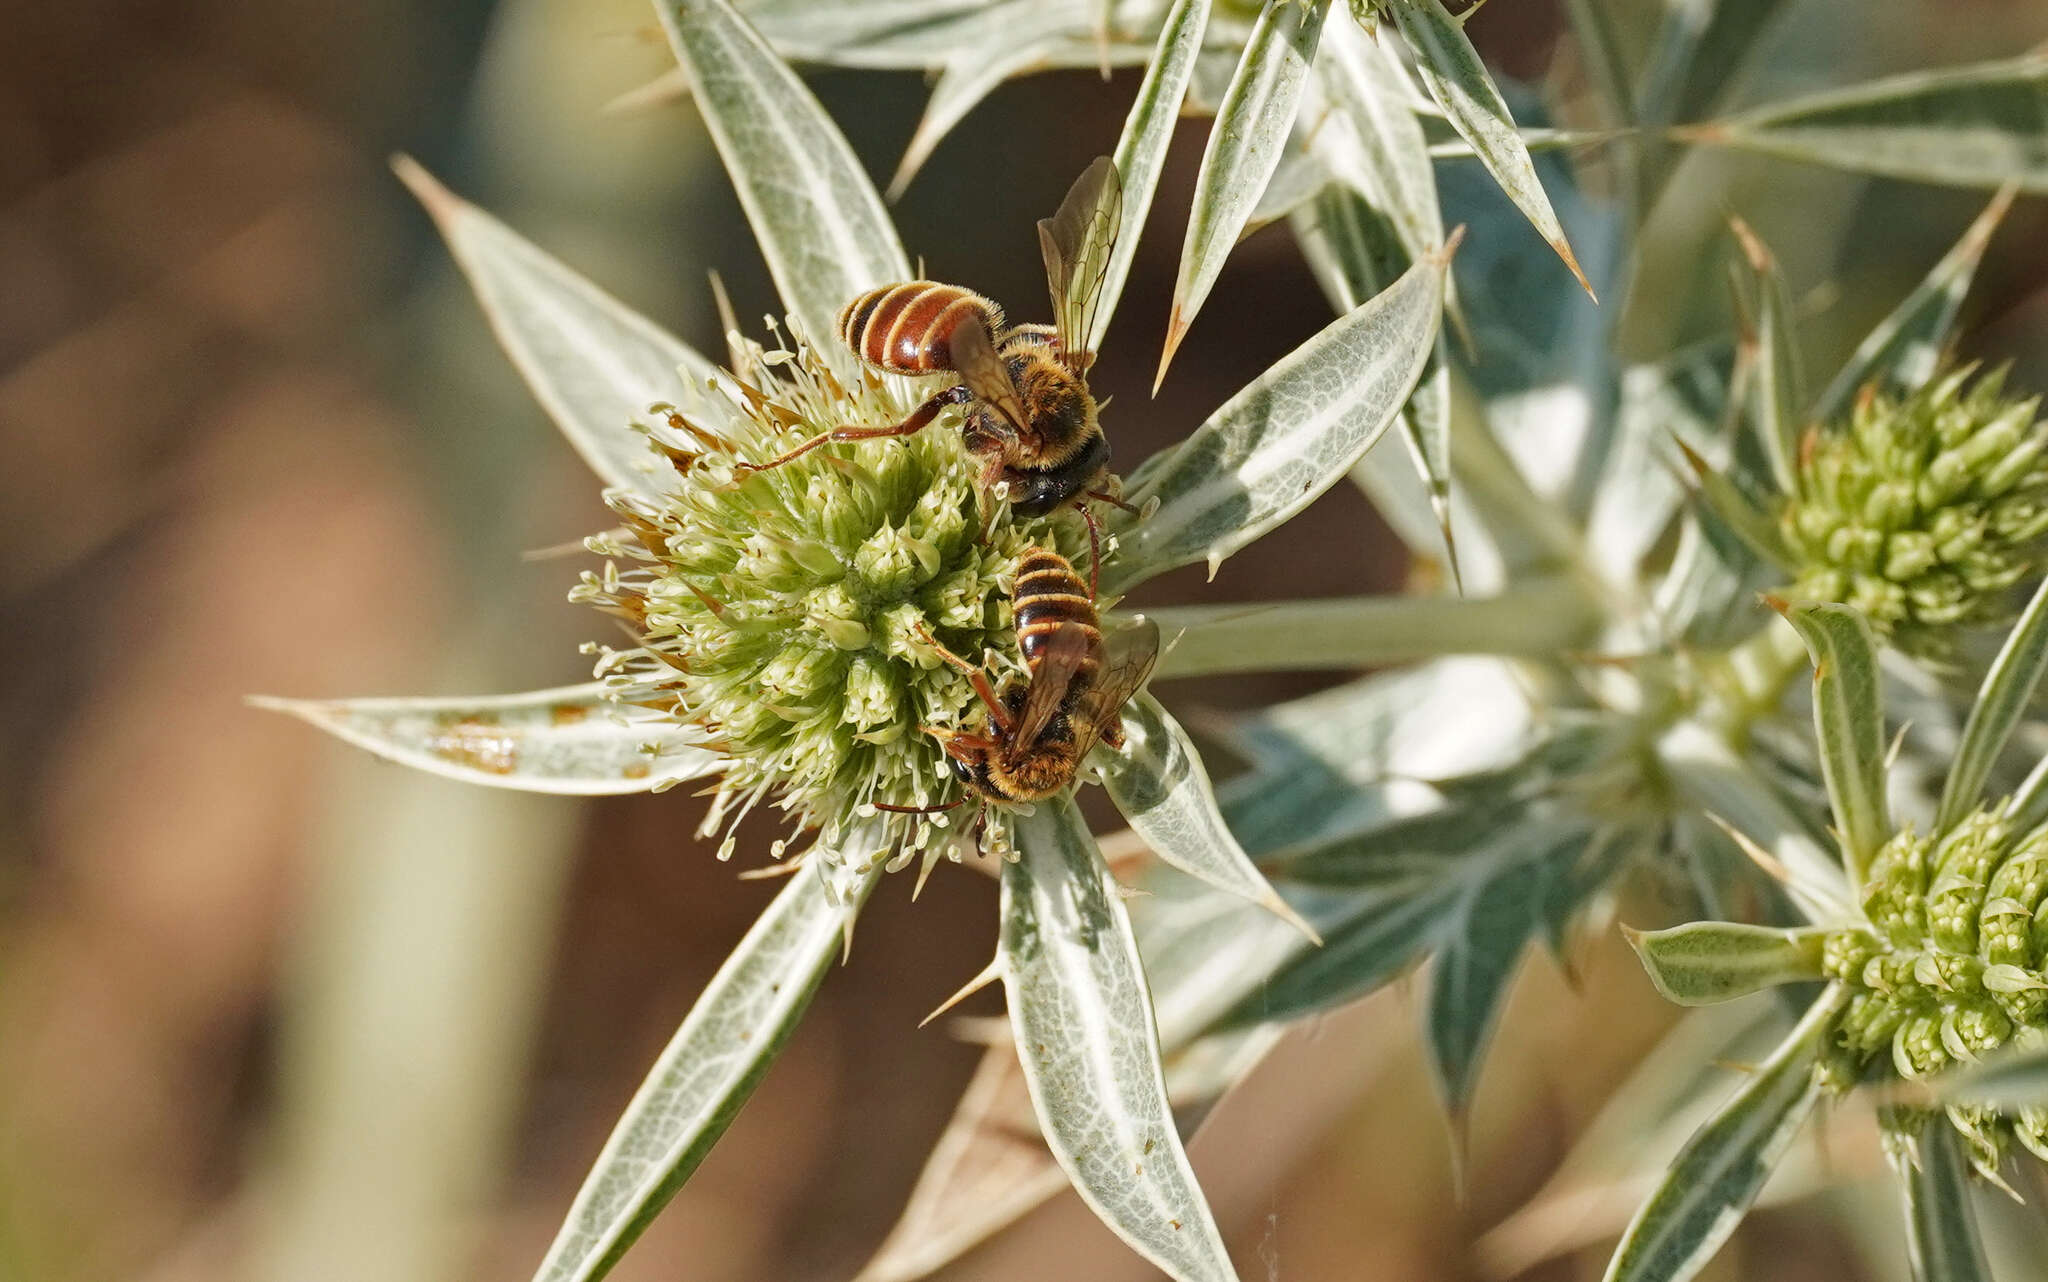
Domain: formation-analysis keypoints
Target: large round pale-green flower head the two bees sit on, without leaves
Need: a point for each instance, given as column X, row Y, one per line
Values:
column 792, row 613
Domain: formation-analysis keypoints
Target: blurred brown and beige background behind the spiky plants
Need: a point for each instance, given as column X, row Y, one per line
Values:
column 271, row 1011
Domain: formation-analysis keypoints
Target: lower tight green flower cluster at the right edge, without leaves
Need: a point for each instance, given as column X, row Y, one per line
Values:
column 1953, row 966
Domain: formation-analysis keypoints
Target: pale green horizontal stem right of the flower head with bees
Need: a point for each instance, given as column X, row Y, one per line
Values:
column 1537, row 617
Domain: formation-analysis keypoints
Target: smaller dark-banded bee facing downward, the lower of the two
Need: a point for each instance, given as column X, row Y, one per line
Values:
column 1037, row 730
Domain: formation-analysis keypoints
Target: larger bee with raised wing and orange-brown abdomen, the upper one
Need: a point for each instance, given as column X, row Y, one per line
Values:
column 1031, row 417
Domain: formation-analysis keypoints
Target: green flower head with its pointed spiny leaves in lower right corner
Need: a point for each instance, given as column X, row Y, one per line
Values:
column 1936, row 966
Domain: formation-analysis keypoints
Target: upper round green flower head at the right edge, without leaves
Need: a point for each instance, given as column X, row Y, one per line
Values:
column 1924, row 513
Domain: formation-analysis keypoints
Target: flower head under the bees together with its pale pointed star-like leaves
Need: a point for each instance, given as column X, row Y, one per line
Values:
column 787, row 632
